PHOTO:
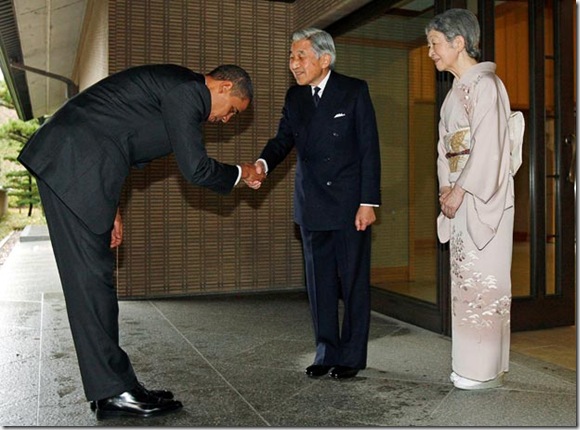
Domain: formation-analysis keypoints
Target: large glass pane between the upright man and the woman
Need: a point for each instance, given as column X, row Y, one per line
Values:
column 390, row 54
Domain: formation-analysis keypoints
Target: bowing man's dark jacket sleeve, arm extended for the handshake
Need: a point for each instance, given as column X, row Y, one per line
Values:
column 184, row 110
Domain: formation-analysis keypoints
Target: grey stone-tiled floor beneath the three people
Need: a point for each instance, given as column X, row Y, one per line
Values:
column 239, row 361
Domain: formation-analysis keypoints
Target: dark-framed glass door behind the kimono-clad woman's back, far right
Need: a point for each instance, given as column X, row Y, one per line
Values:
column 535, row 50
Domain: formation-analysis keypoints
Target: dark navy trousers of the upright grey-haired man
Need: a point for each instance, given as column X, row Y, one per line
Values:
column 337, row 265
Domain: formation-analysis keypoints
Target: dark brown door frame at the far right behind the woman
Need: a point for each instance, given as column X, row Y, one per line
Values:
column 540, row 310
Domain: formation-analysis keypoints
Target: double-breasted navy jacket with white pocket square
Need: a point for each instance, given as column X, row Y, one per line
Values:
column 338, row 161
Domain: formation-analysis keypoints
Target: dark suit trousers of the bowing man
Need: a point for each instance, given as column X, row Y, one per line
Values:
column 86, row 265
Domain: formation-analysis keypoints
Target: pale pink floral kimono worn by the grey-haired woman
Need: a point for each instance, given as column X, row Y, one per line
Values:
column 474, row 117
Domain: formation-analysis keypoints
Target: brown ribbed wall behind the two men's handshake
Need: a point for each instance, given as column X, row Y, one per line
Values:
column 181, row 239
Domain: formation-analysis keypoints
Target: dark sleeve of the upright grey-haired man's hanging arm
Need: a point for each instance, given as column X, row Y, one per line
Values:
column 368, row 148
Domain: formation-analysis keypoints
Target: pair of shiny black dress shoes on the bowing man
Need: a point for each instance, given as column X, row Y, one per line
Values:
column 137, row 402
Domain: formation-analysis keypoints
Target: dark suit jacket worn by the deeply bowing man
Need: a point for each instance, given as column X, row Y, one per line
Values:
column 86, row 149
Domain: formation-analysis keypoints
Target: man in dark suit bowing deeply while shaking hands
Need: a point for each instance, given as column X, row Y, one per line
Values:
column 81, row 157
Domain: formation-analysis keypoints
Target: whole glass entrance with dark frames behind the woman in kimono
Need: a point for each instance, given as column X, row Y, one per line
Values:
column 534, row 48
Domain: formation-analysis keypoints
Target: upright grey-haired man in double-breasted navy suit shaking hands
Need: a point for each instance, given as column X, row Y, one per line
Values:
column 330, row 120
